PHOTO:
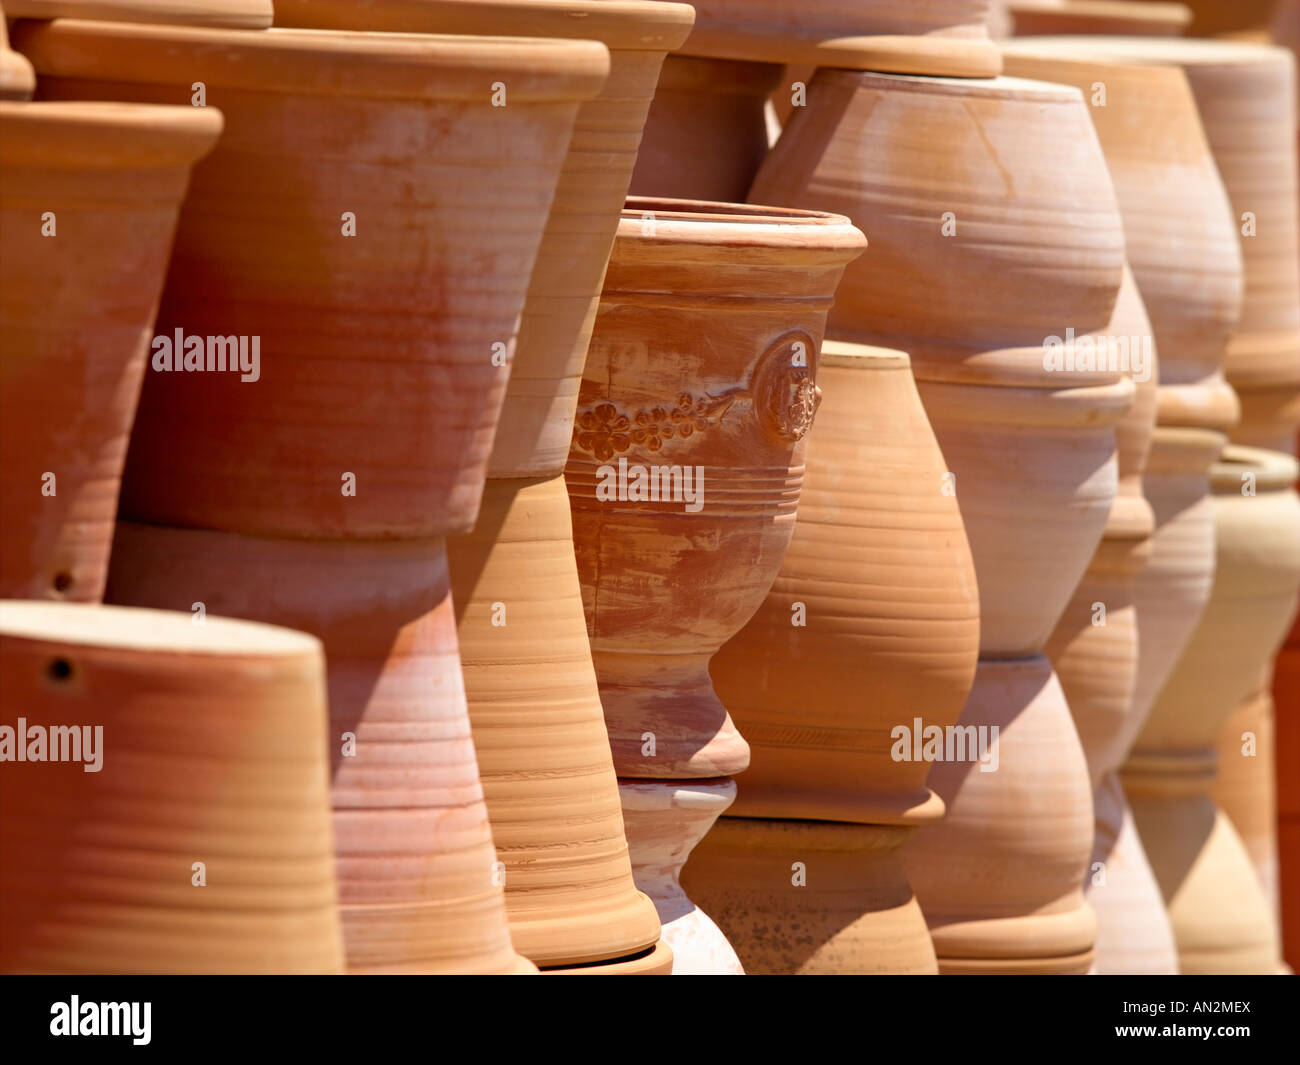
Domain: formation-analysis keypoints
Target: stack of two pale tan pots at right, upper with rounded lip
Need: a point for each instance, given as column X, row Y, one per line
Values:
column 1221, row 919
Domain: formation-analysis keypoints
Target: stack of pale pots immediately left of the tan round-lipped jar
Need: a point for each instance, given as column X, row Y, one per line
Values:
column 1186, row 258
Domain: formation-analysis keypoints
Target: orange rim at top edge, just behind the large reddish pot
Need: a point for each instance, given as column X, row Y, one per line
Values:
column 623, row 25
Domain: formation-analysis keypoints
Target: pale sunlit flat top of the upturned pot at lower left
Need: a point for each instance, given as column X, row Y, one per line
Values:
column 132, row 630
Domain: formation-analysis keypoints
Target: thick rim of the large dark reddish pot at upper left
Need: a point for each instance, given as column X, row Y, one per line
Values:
column 332, row 63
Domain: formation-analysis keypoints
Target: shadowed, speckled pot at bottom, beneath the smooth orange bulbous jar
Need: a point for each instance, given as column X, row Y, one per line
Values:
column 811, row 898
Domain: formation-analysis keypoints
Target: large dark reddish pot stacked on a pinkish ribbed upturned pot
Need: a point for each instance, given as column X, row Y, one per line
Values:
column 318, row 491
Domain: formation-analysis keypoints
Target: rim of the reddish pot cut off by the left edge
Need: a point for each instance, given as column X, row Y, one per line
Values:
column 105, row 136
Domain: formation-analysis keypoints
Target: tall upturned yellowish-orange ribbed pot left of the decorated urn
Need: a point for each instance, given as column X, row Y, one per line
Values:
column 544, row 754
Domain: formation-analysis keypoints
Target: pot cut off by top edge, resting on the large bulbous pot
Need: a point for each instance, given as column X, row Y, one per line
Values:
column 922, row 37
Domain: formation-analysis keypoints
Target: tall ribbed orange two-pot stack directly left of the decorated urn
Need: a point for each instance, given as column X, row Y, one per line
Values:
column 544, row 752
